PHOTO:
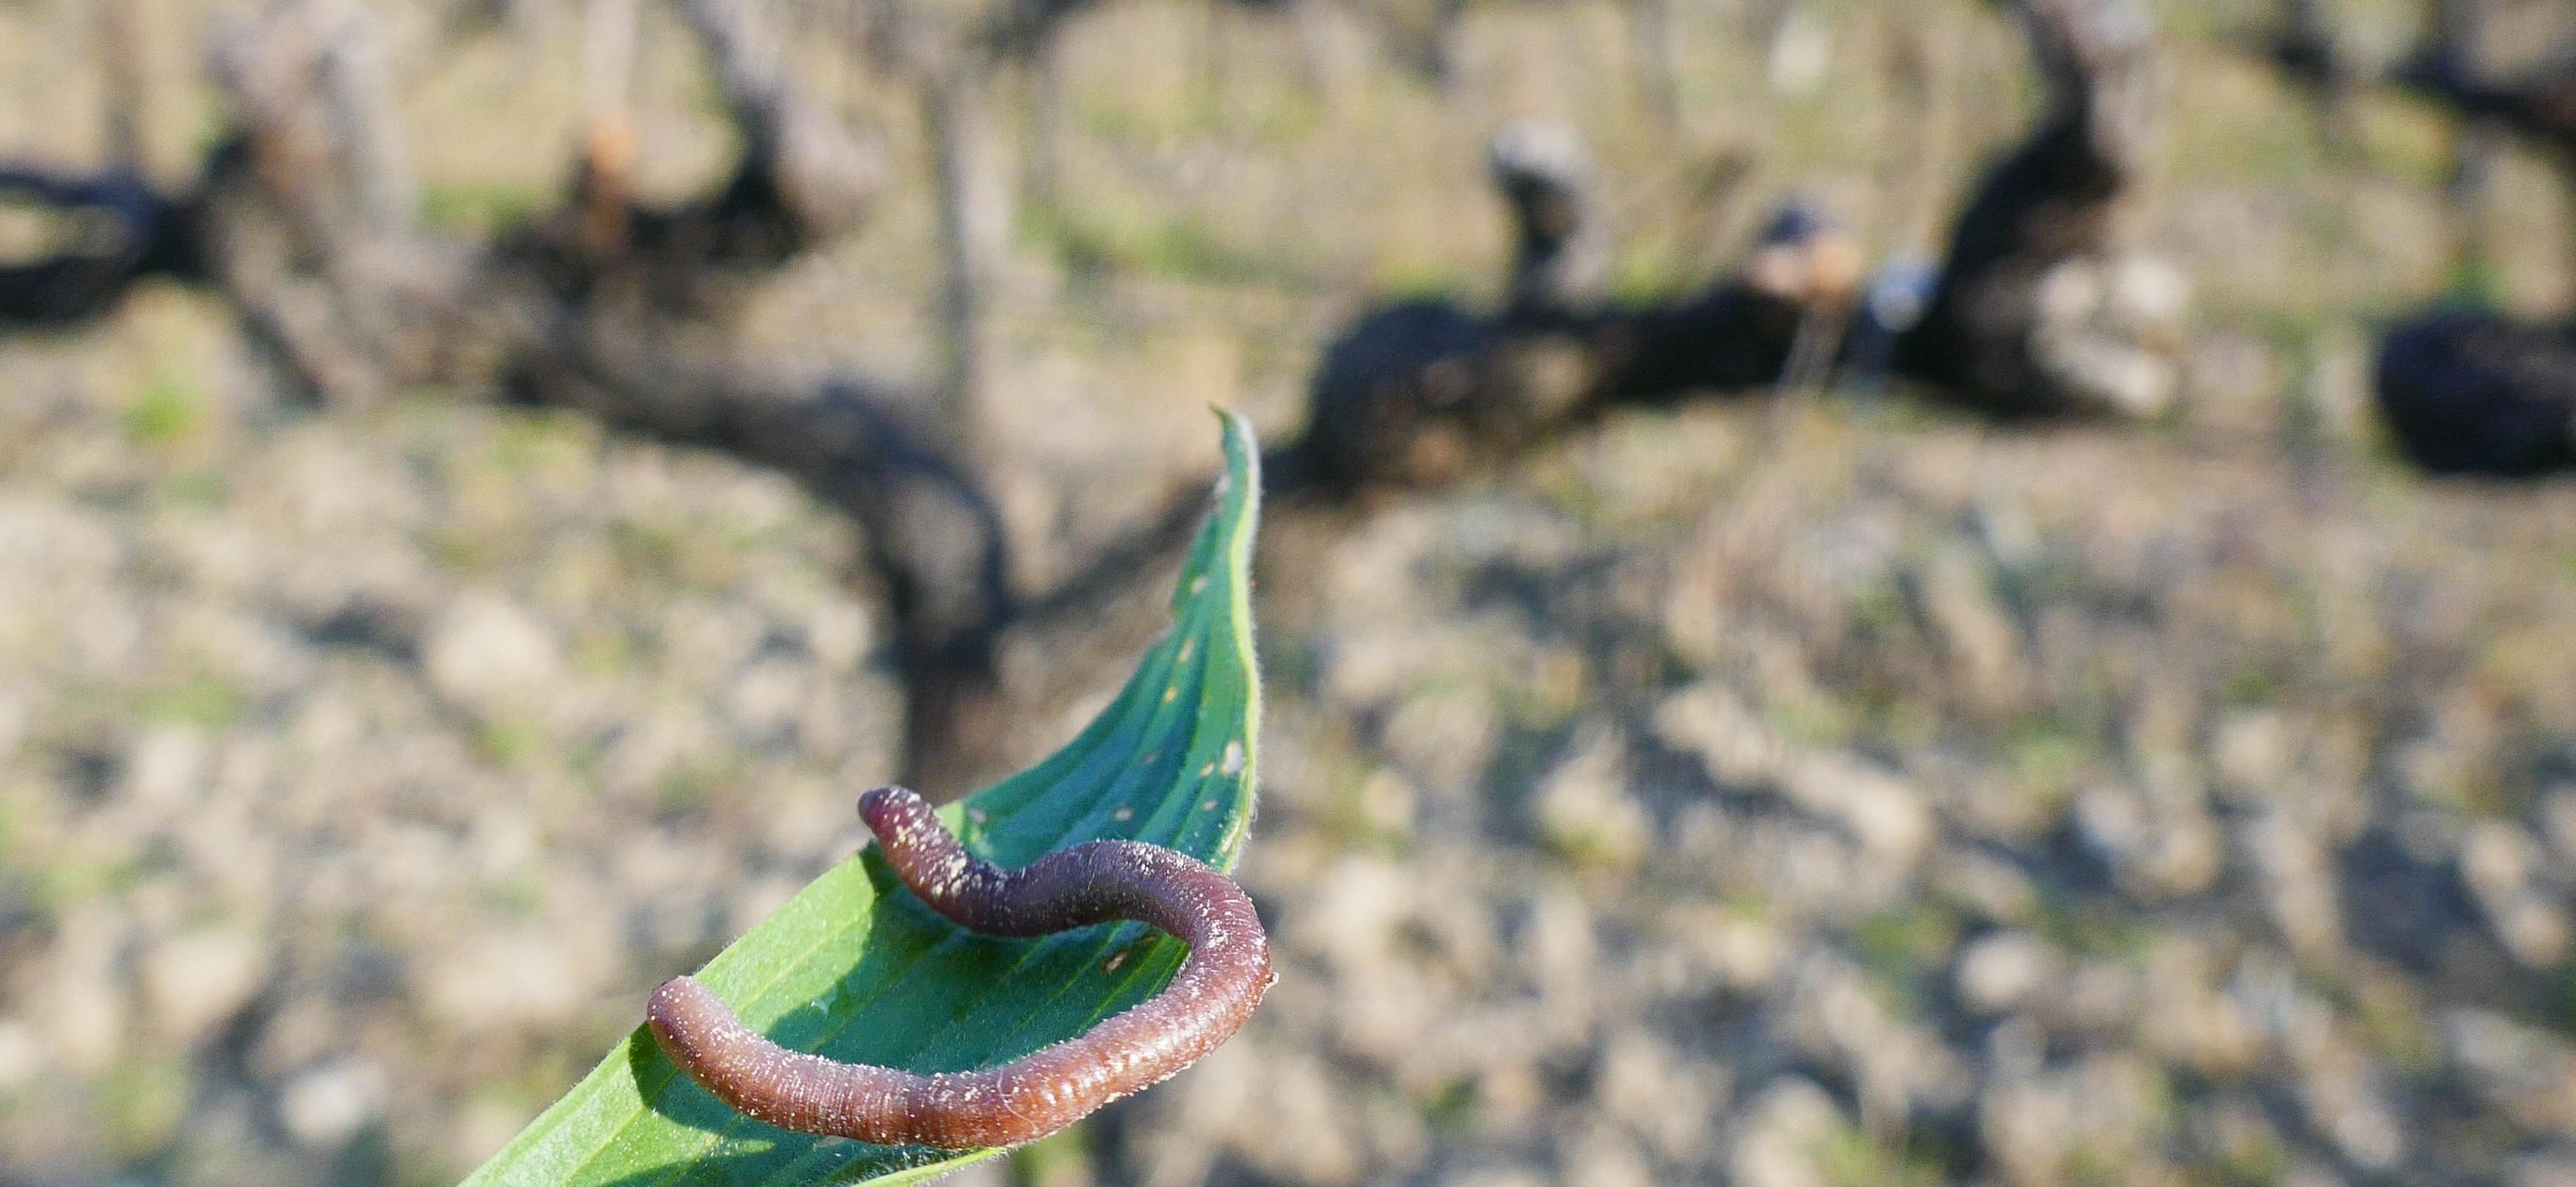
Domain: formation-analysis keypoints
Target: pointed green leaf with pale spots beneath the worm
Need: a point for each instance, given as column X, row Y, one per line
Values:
column 859, row 969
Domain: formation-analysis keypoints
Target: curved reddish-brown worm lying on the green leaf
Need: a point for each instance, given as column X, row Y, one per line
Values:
column 1039, row 1093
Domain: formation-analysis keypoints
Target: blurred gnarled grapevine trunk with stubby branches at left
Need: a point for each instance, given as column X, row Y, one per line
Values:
column 617, row 310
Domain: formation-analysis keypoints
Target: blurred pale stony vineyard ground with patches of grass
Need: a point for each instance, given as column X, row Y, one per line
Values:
column 1833, row 794
